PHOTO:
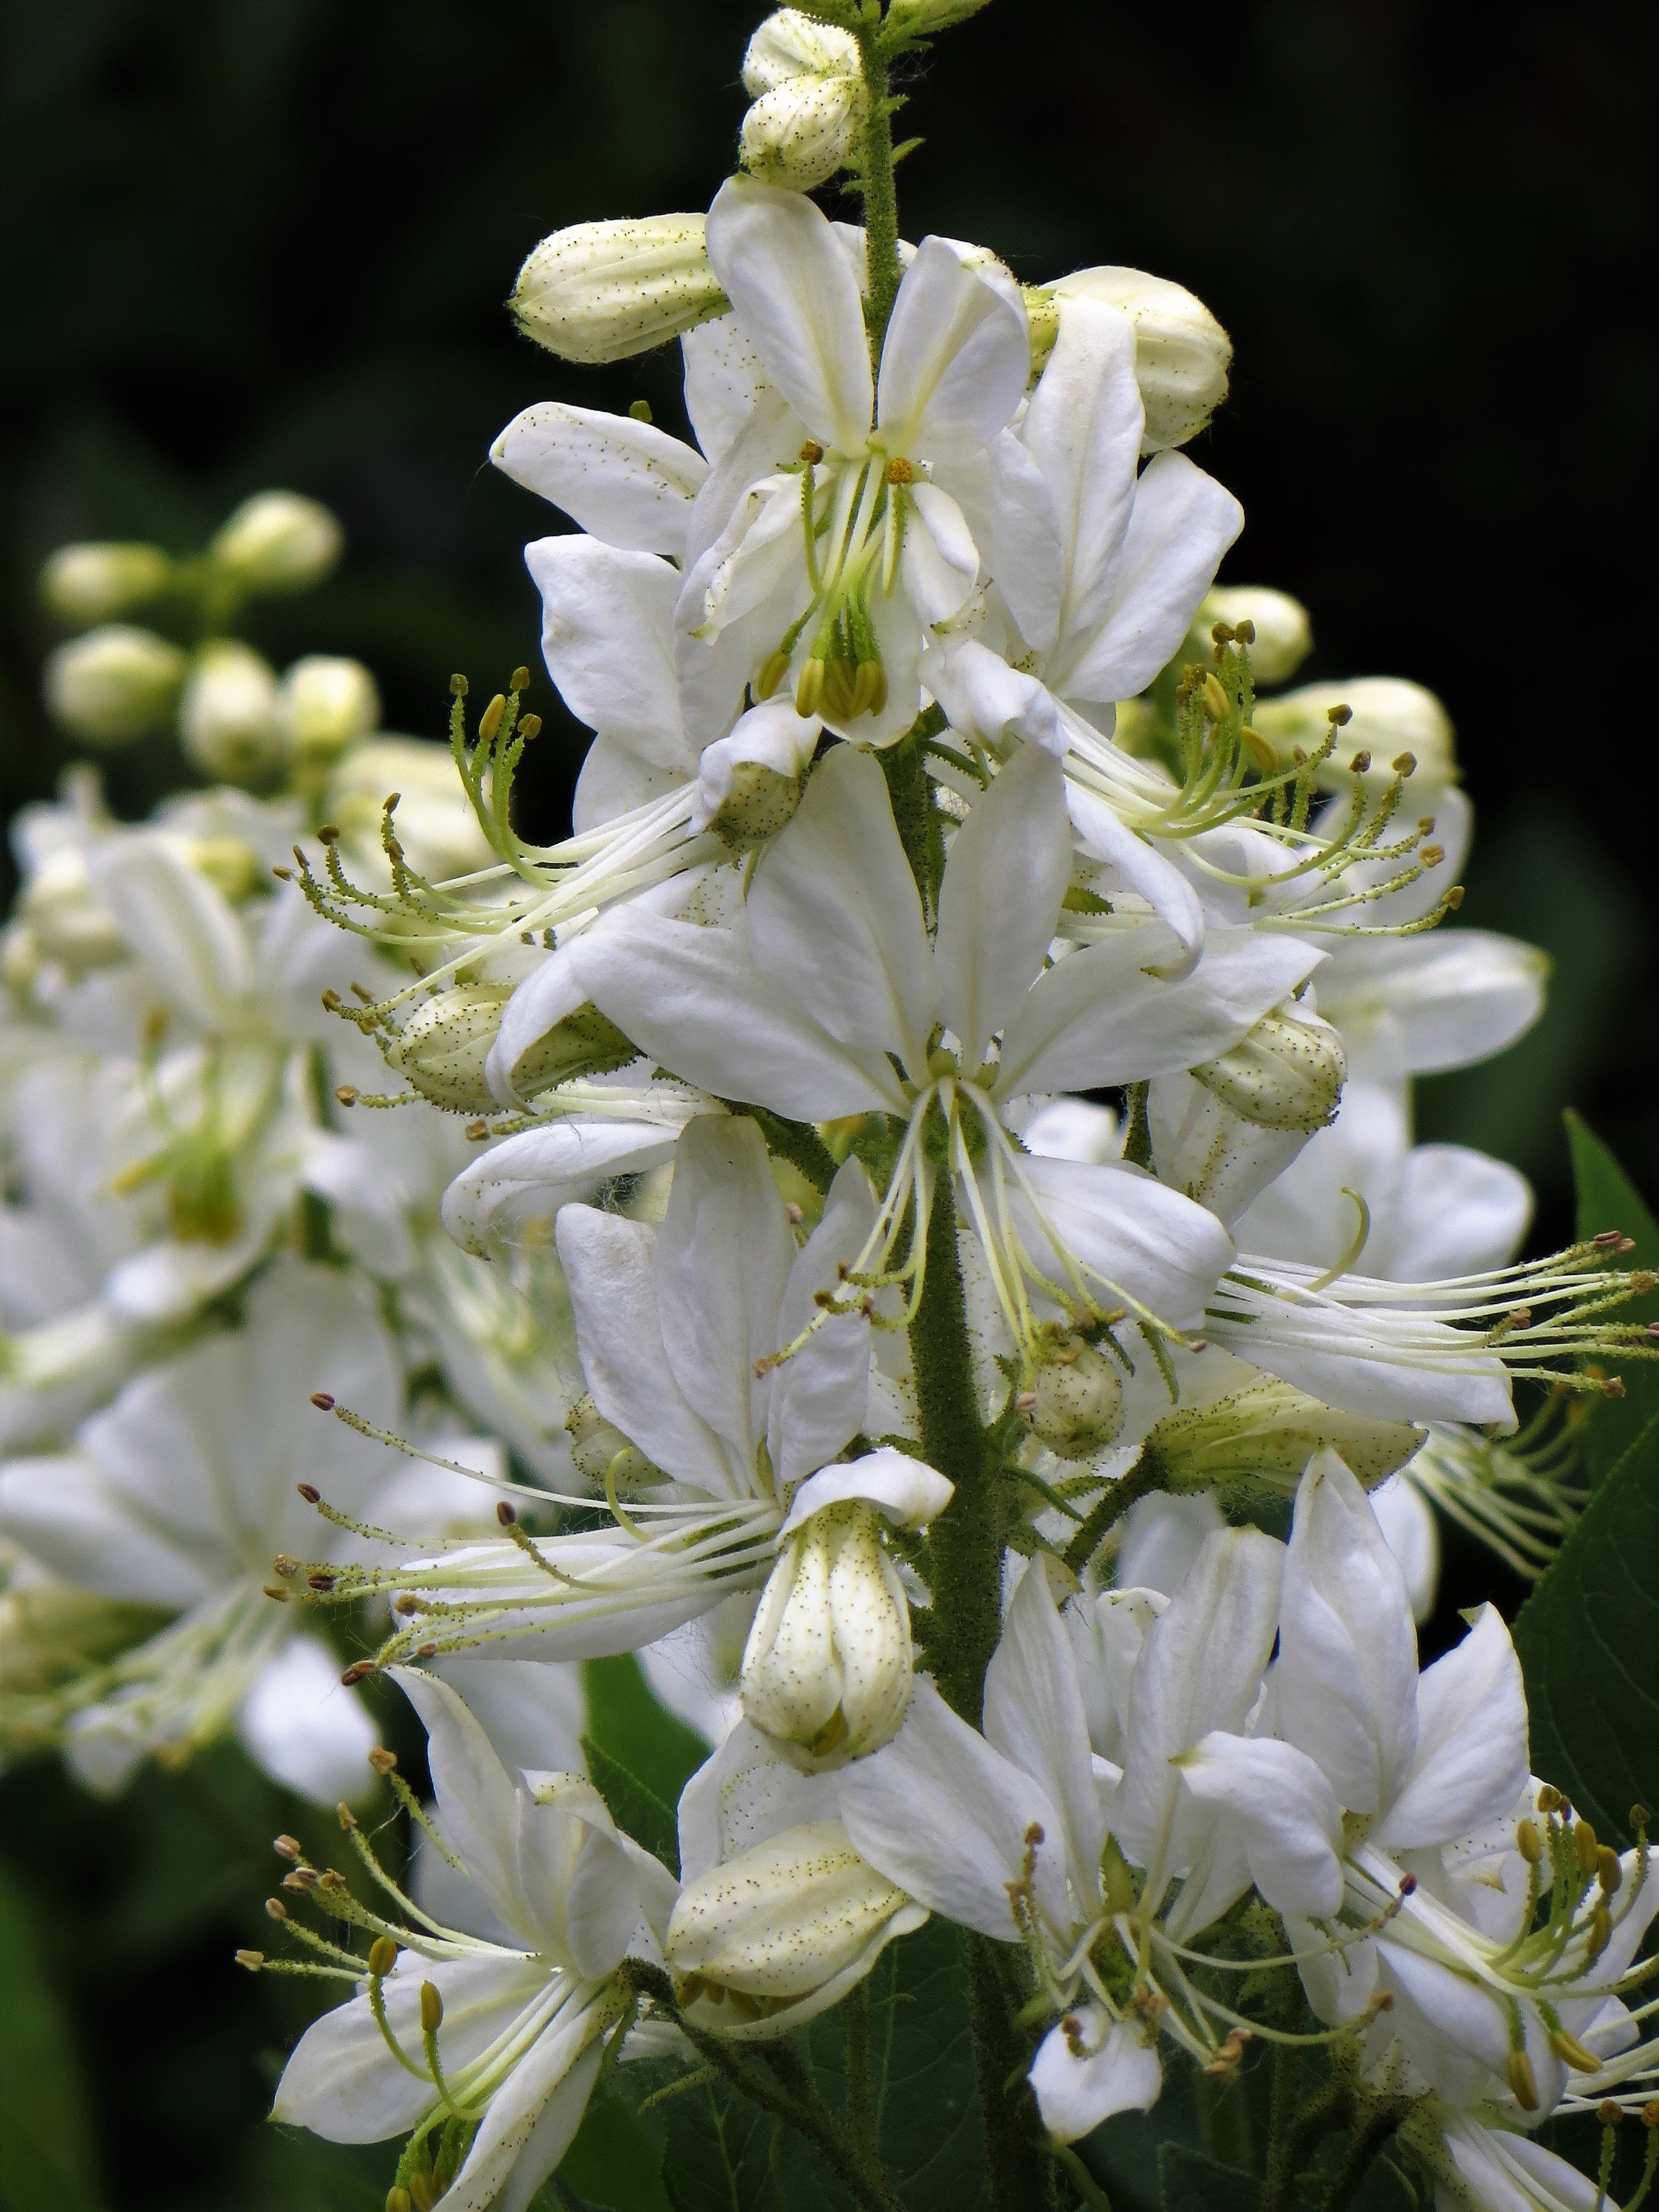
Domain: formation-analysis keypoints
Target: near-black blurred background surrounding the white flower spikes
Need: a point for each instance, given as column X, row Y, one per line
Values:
column 267, row 242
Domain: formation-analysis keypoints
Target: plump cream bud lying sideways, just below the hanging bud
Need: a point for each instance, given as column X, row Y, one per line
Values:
column 786, row 1917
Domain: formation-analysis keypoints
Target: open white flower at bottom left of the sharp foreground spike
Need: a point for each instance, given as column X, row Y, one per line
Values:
column 501, row 2038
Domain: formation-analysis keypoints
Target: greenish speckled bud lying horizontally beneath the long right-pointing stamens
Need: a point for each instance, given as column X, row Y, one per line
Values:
column 1262, row 1437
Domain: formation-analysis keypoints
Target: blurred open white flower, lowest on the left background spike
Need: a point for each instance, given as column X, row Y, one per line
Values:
column 182, row 1494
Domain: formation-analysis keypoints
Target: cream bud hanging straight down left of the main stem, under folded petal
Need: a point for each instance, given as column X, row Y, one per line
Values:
column 828, row 1662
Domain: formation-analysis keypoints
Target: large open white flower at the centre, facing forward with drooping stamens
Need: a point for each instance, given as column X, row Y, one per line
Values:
column 828, row 999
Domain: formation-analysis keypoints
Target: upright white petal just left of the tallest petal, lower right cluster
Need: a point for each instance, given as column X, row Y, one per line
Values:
column 1200, row 1671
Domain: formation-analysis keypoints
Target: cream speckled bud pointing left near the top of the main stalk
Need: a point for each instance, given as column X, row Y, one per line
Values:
column 616, row 289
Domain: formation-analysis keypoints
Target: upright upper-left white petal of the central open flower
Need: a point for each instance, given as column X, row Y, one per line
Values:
column 837, row 921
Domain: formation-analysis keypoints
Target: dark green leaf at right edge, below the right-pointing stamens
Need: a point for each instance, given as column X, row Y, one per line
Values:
column 1589, row 1647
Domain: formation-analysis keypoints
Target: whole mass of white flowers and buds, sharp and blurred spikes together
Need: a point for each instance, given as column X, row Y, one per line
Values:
column 877, row 1222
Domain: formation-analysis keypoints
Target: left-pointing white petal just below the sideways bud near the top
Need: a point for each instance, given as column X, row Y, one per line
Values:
column 625, row 481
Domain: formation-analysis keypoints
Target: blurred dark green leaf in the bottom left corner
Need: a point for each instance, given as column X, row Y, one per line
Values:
column 45, row 2122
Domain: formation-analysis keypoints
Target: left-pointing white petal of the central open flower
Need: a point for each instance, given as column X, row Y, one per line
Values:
column 698, row 1003
